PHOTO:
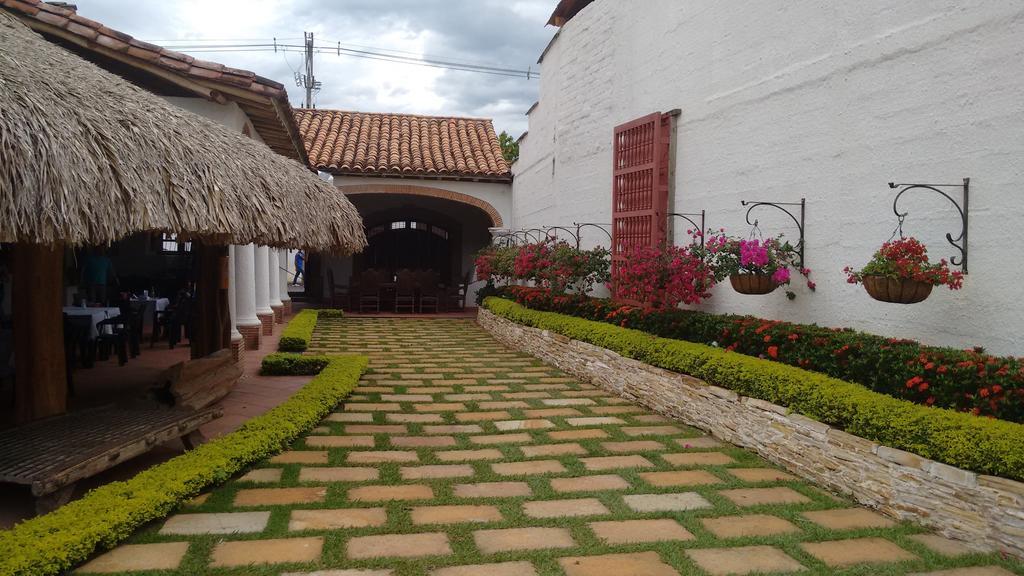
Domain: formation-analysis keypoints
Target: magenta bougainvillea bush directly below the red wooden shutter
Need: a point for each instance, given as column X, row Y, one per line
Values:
column 664, row 276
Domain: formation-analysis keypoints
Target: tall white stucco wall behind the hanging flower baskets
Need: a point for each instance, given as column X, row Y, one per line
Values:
column 783, row 100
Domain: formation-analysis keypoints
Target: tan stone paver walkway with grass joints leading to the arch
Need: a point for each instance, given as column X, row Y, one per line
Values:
column 459, row 458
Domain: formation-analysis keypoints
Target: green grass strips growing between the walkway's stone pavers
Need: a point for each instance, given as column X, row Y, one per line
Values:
column 545, row 562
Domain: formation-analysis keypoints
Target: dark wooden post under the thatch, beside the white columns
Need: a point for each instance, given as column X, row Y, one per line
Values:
column 211, row 320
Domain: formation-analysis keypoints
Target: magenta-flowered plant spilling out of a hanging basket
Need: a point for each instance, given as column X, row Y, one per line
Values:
column 775, row 258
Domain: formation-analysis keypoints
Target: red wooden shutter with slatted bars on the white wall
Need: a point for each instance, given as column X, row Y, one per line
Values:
column 641, row 185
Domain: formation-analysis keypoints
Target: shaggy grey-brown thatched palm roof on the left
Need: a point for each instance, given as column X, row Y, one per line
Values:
column 89, row 158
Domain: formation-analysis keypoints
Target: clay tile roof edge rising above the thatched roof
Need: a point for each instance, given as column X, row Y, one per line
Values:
column 265, row 101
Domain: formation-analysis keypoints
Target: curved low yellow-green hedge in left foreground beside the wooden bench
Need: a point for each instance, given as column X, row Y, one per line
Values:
column 105, row 517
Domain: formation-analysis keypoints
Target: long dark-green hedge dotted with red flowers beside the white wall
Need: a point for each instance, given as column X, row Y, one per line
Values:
column 968, row 381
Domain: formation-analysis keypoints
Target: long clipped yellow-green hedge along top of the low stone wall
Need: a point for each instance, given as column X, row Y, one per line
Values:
column 983, row 445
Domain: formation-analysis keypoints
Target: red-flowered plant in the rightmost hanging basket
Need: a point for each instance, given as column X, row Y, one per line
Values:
column 907, row 259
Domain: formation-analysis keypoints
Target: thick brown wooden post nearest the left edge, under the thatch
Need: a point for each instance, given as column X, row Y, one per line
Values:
column 41, row 381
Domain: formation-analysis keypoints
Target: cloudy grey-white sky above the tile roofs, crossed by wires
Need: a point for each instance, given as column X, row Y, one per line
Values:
column 503, row 33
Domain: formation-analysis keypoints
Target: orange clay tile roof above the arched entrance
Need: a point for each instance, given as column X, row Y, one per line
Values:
column 358, row 143
